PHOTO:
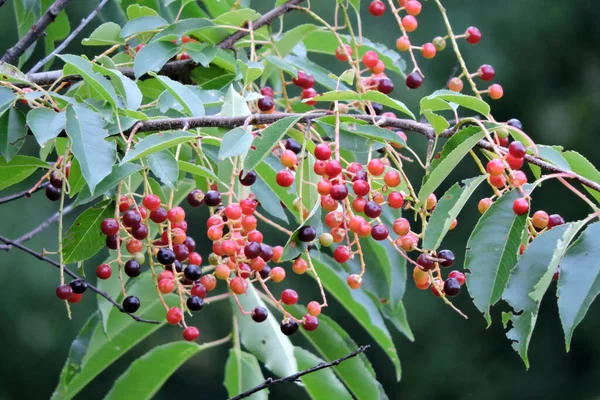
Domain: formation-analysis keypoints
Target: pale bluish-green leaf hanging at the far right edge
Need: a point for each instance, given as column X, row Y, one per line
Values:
column 579, row 280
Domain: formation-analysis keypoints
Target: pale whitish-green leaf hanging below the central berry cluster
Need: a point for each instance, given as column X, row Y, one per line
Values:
column 265, row 340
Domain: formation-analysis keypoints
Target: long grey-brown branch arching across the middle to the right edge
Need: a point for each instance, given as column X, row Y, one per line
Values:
column 405, row 124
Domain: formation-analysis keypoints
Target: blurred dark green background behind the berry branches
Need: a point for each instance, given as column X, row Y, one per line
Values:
column 546, row 57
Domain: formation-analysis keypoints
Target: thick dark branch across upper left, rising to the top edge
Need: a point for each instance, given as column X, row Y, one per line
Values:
column 176, row 67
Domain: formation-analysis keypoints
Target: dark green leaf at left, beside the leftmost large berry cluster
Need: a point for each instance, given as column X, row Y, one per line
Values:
column 84, row 238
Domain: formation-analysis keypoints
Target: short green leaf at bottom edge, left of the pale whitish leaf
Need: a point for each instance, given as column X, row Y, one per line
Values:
column 242, row 373
